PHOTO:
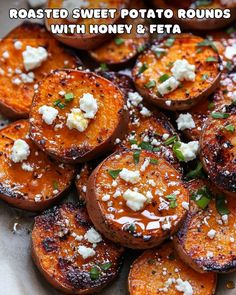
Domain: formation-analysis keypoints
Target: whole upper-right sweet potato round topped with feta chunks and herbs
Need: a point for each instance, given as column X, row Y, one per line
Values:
column 154, row 68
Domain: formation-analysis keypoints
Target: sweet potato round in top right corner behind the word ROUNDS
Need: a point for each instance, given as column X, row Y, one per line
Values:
column 196, row 23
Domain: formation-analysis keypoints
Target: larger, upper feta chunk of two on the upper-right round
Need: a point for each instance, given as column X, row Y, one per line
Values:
column 183, row 70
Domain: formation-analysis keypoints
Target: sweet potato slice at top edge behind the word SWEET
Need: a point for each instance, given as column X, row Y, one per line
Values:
column 86, row 41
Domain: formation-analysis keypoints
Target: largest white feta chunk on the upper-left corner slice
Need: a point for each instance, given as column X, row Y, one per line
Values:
column 33, row 57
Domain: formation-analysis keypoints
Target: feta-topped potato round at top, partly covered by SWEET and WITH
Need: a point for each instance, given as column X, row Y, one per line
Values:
column 85, row 40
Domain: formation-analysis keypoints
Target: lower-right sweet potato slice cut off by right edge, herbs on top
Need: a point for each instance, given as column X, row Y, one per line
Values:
column 206, row 241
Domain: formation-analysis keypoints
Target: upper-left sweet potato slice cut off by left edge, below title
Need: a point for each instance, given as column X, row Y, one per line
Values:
column 17, row 86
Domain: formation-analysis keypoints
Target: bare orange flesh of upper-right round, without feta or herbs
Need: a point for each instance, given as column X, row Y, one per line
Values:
column 184, row 47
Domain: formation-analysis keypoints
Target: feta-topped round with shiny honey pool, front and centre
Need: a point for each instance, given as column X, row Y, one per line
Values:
column 136, row 198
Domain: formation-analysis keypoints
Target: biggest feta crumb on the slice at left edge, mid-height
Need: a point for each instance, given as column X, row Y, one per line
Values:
column 20, row 151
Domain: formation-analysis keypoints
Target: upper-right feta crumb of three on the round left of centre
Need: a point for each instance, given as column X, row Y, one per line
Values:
column 88, row 104
